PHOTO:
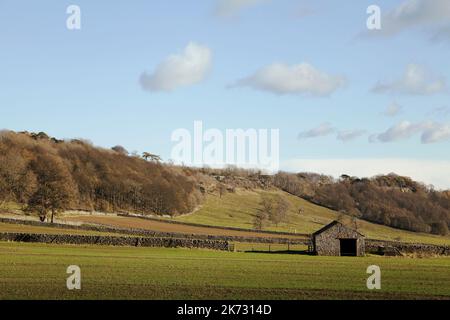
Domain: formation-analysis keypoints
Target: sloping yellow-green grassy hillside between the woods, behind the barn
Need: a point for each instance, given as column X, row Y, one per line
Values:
column 239, row 209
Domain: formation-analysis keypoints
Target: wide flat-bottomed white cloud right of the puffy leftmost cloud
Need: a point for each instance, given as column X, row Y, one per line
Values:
column 302, row 78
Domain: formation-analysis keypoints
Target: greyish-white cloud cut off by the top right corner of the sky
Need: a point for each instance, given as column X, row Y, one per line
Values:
column 434, row 14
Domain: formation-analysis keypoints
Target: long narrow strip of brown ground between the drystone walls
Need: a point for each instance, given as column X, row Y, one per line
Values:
column 161, row 226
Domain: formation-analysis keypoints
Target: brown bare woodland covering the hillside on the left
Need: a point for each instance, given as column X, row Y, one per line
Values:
column 48, row 176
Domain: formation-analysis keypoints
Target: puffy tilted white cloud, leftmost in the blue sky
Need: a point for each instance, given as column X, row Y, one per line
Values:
column 178, row 70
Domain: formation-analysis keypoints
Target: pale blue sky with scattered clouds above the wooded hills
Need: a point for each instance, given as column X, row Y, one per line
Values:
column 346, row 99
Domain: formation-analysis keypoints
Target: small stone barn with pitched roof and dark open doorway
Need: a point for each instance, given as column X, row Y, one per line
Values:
column 337, row 239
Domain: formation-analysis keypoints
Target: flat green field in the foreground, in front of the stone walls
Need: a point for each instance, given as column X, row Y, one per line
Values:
column 38, row 271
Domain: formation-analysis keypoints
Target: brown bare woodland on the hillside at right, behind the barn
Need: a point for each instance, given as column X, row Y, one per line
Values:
column 390, row 200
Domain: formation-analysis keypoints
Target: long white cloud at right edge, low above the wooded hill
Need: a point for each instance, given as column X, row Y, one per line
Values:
column 430, row 131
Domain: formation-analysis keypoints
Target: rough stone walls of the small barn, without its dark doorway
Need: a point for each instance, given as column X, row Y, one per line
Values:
column 327, row 243
